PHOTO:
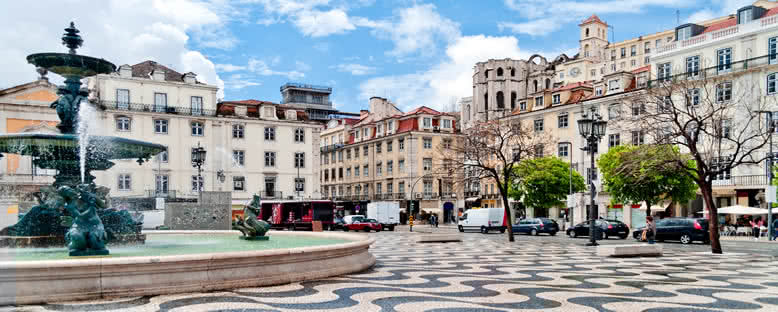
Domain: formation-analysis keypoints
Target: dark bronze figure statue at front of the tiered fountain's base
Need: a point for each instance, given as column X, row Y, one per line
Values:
column 87, row 235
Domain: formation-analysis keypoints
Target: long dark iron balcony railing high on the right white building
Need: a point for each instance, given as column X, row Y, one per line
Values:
column 717, row 70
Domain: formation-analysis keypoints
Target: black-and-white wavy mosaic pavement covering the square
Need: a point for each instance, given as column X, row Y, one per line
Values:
column 485, row 273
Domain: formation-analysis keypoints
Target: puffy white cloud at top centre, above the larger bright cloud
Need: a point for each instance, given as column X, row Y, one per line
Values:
column 415, row 29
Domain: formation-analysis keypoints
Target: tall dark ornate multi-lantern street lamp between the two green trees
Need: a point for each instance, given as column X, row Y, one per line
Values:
column 592, row 129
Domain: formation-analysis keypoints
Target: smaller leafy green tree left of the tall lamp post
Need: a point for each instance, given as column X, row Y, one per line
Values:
column 544, row 182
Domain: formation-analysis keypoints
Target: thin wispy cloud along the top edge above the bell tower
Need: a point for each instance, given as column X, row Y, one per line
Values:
column 544, row 17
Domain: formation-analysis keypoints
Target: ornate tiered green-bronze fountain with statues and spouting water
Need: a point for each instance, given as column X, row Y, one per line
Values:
column 73, row 210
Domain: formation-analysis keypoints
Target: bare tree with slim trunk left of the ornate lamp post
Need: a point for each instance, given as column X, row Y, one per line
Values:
column 490, row 150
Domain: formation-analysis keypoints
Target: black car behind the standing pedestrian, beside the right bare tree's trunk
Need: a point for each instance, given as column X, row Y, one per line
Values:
column 685, row 230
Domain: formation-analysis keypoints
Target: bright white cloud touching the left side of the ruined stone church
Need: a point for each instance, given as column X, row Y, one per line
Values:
column 452, row 77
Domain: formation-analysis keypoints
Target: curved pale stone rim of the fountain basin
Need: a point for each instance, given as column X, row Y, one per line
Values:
column 29, row 282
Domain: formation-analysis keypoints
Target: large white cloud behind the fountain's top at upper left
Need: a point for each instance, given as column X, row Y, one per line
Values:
column 120, row 31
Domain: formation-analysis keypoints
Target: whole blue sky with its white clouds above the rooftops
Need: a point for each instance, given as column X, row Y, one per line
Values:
column 413, row 52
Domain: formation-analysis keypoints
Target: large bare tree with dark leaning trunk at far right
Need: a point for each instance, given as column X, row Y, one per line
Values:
column 714, row 118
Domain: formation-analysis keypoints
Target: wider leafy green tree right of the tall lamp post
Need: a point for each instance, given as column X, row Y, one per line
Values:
column 646, row 173
